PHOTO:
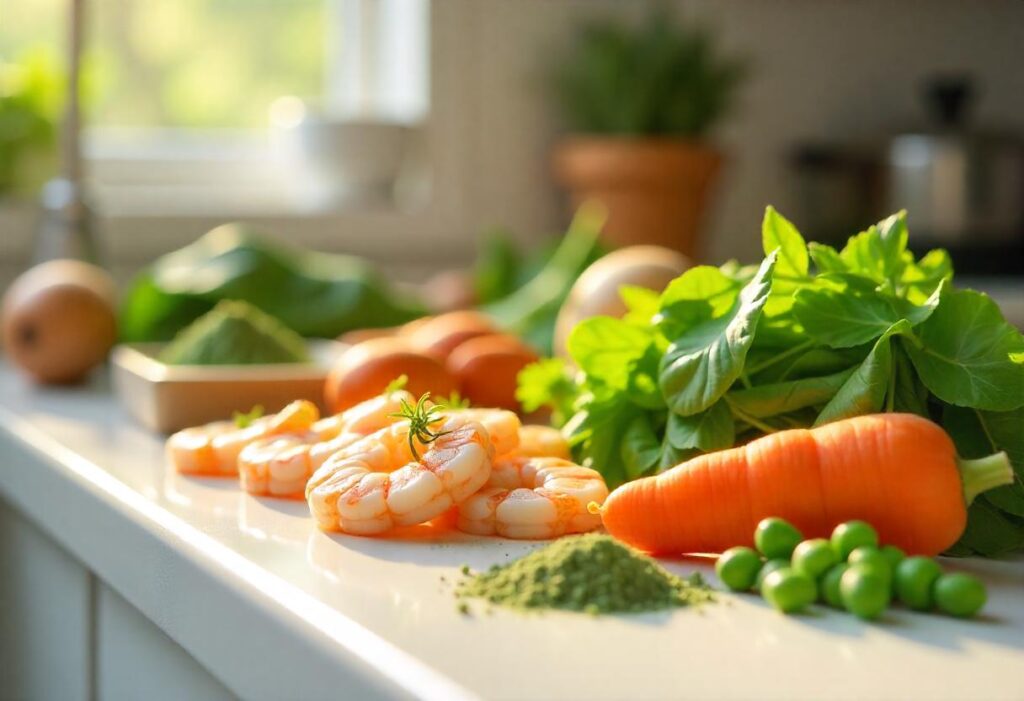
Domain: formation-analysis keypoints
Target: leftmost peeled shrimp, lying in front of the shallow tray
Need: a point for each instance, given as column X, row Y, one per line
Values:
column 214, row 449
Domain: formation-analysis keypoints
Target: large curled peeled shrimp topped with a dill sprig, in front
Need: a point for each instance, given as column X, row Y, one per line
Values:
column 377, row 484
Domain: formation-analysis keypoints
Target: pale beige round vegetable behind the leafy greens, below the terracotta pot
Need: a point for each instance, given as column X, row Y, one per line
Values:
column 596, row 293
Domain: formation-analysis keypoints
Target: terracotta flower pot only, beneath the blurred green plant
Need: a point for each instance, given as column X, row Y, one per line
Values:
column 657, row 191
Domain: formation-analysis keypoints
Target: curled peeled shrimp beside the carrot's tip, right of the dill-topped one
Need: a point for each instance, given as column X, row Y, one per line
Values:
column 534, row 498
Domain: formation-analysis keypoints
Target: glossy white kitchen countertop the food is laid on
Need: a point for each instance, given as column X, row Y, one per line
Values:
column 276, row 609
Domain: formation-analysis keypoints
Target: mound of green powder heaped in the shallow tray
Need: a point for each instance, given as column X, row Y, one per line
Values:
column 235, row 333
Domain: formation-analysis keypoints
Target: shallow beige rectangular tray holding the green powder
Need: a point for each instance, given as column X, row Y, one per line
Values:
column 168, row 399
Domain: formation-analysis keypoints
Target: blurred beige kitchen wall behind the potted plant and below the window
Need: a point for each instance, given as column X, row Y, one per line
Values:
column 823, row 70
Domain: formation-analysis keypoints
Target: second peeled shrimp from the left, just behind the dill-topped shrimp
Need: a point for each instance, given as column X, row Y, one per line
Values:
column 280, row 466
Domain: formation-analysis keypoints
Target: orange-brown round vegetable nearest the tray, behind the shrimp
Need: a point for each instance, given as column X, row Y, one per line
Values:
column 367, row 369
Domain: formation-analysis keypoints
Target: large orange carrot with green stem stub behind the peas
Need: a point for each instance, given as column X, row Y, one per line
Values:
column 897, row 471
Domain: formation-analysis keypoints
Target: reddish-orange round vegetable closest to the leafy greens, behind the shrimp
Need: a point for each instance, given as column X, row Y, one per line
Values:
column 487, row 369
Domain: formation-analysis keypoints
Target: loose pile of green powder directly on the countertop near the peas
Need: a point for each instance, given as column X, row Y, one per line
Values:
column 590, row 574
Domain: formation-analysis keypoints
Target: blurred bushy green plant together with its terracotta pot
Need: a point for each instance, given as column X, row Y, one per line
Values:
column 639, row 104
